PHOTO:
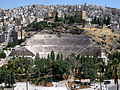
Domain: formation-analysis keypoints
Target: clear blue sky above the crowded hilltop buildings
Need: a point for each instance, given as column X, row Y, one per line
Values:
column 7, row 4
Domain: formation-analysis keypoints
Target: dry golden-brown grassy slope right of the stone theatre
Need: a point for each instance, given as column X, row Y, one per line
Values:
column 103, row 37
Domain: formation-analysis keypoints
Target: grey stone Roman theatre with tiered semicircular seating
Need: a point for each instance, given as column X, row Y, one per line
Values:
column 66, row 44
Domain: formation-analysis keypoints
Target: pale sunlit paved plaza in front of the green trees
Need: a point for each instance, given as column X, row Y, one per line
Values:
column 61, row 86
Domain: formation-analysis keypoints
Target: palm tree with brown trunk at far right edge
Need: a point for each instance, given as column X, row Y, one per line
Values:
column 115, row 62
